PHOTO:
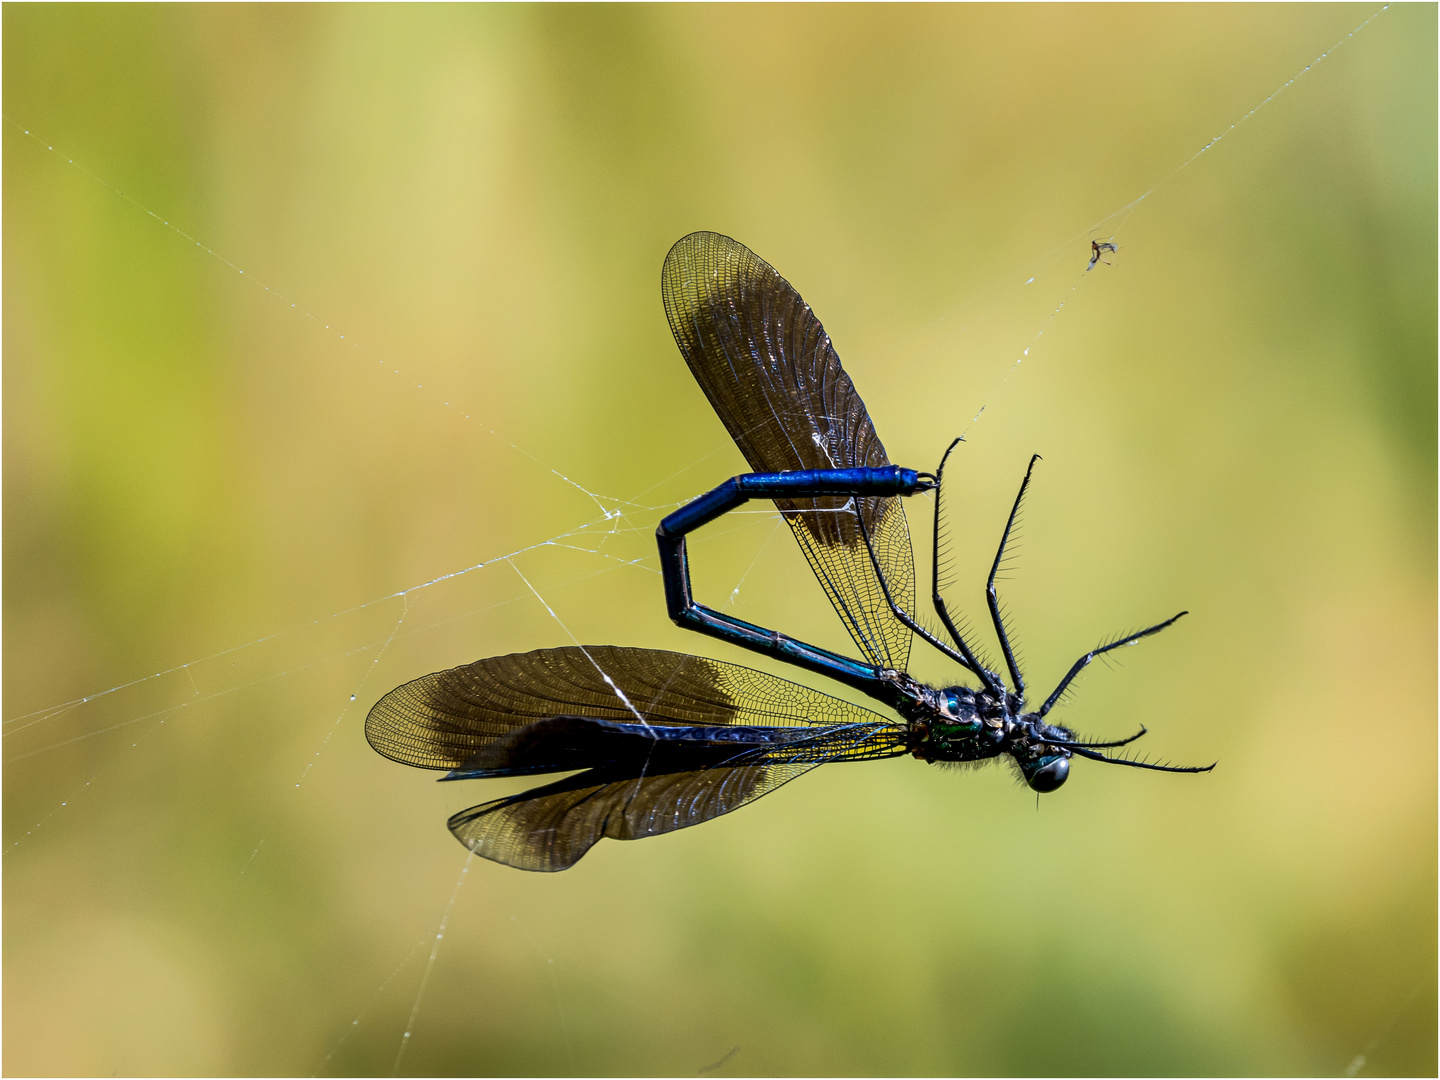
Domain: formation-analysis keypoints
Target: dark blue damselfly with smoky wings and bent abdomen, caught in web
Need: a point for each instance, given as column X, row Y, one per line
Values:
column 663, row 741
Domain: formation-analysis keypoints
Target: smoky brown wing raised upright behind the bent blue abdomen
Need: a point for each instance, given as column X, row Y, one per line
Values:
column 773, row 377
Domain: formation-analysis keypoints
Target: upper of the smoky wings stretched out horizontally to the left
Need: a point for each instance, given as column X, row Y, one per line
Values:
column 473, row 714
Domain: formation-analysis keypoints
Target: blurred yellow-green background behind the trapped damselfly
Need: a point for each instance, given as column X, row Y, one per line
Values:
column 447, row 346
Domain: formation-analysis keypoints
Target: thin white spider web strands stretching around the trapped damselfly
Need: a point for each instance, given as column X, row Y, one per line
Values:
column 606, row 536
